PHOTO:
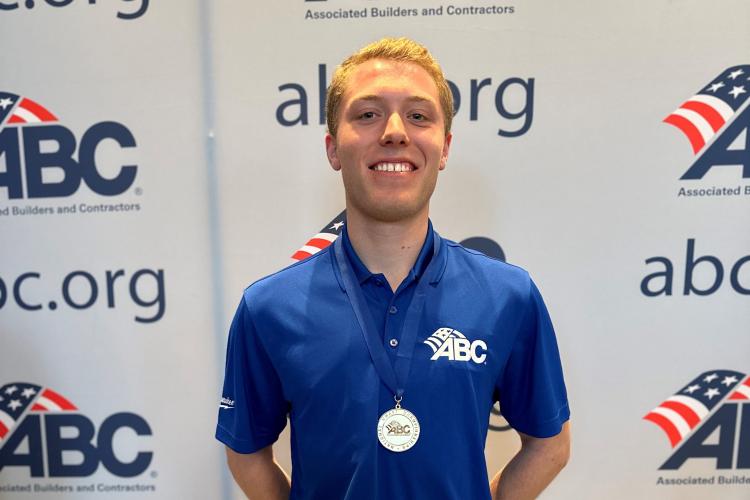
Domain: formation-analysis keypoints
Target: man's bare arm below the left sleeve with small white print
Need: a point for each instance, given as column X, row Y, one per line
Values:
column 259, row 475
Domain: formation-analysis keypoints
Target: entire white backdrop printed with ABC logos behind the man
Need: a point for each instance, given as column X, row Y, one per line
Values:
column 159, row 157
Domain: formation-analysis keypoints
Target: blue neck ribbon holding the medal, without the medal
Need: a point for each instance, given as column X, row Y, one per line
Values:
column 393, row 377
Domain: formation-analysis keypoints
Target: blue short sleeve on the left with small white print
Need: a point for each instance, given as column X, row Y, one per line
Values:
column 253, row 410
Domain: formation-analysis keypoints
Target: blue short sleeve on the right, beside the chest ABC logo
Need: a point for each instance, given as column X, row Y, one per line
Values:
column 531, row 389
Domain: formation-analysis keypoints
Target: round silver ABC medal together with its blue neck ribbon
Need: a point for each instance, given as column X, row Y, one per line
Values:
column 398, row 429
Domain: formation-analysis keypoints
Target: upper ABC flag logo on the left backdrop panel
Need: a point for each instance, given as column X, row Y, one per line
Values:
column 44, row 161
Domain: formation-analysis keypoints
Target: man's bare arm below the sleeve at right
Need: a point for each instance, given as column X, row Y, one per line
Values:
column 533, row 468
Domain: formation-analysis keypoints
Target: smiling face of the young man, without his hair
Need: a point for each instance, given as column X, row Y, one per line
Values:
column 390, row 142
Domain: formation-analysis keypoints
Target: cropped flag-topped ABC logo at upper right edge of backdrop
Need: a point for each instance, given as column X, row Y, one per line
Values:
column 716, row 122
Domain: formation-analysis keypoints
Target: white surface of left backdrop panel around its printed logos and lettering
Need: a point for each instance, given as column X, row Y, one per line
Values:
column 86, row 66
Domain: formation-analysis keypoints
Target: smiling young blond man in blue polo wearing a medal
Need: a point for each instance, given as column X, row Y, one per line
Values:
column 388, row 349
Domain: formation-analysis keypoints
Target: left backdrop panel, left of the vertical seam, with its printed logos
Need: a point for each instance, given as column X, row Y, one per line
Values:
column 108, row 365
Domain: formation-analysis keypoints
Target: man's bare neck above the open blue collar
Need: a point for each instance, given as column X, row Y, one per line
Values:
column 390, row 248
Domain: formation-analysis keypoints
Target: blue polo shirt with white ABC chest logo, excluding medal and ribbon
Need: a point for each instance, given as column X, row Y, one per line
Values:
column 296, row 350
